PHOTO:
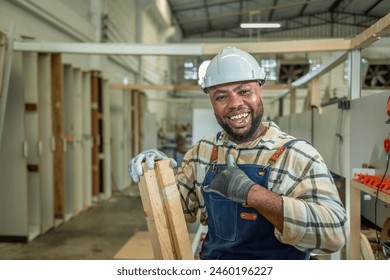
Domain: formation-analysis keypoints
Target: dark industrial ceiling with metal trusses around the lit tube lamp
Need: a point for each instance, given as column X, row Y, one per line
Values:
column 221, row 18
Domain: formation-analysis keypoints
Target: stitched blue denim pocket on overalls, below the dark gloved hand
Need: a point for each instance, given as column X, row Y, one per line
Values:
column 224, row 212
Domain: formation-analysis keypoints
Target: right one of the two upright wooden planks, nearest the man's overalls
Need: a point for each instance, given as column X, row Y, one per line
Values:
column 171, row 197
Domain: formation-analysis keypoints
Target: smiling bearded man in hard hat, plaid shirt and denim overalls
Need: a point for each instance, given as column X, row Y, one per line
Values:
column 262, row 193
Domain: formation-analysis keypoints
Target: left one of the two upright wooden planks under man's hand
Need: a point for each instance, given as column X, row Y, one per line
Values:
column 155, row 215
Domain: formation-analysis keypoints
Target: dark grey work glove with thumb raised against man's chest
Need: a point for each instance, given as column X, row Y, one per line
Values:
column 231, row 182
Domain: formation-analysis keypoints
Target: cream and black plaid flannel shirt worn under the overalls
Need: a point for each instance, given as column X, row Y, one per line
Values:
column 314, row 217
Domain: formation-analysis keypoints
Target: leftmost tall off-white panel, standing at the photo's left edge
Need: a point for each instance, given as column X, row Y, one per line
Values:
column 20, row 199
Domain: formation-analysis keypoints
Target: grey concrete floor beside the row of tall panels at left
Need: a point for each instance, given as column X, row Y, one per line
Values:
column 97, row 233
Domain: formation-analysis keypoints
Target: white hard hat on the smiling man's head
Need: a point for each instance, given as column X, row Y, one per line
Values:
column 232, row 65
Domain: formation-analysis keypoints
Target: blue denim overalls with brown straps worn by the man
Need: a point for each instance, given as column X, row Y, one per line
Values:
column 239, row 232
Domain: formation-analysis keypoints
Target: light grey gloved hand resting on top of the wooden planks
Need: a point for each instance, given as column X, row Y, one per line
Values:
column 149, row 156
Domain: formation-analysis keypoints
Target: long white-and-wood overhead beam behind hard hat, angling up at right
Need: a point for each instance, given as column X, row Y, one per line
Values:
column 367, row 37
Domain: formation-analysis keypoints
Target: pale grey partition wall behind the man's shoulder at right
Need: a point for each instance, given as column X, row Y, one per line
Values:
column 363, row 130
